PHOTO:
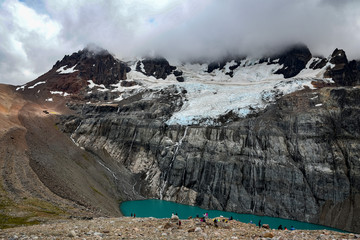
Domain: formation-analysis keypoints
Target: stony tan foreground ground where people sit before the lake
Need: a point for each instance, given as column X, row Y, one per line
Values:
column 150, row 228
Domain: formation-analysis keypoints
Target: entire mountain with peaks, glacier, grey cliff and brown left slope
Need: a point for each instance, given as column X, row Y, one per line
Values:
column 275, row 136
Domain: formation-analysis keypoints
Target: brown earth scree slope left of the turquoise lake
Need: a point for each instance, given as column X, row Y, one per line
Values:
column 43, row 174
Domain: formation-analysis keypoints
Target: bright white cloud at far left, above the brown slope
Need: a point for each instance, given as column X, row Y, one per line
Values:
column 29, row 42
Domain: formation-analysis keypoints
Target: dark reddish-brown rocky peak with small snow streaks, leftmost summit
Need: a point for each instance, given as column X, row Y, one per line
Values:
column 71, row 74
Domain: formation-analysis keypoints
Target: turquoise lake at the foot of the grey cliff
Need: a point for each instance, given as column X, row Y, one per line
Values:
column 163, row 209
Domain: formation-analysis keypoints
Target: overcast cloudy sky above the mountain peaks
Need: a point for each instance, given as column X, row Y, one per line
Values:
column 35, row 34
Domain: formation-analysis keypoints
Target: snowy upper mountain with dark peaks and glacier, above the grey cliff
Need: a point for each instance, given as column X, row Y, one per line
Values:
column 237, row 86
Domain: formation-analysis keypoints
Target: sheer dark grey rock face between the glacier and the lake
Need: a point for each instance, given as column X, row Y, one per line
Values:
column 298, row 159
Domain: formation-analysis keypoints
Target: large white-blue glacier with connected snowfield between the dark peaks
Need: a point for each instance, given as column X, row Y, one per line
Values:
column 208, row 96
